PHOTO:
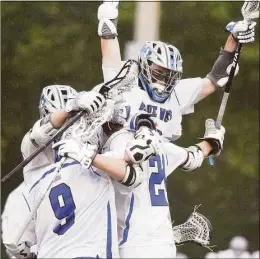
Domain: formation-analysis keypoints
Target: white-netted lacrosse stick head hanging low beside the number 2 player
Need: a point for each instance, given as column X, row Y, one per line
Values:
column 196, row 229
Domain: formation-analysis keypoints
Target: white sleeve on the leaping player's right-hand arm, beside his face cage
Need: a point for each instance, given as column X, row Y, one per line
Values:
column 188, row 93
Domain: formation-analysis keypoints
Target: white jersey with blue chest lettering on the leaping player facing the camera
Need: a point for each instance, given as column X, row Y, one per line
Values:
column 167, row 116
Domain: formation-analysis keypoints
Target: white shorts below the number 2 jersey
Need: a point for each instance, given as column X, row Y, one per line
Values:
column 152, row 251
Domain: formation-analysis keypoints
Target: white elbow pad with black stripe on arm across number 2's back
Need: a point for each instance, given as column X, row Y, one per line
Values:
column 133, row 176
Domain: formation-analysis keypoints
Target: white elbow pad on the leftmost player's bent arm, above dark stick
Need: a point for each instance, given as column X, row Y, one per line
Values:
column 42, row 131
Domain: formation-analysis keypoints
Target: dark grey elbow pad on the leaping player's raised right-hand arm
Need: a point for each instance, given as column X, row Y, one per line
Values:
column 221, row 69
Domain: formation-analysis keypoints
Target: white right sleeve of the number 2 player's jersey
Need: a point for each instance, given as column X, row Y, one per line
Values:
column 174, row 156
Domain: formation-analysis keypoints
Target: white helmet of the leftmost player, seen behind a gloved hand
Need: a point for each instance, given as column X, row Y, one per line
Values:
column 55, row 97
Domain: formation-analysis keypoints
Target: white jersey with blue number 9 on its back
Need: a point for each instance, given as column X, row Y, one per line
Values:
column 77, row 218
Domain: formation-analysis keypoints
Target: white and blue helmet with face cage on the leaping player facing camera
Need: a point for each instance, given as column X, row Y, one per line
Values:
column 160, row 69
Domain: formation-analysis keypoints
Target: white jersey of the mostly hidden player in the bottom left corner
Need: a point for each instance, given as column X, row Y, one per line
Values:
column 14, row 216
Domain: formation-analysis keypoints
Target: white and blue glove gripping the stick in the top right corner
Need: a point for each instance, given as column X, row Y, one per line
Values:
column 242, row 31
